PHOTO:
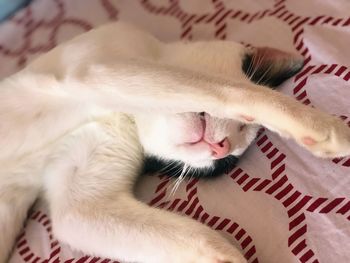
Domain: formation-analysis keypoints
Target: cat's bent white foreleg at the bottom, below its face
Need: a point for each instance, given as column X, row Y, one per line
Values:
column 89, row 186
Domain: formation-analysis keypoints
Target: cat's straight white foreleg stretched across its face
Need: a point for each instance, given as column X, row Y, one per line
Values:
column 172, row 89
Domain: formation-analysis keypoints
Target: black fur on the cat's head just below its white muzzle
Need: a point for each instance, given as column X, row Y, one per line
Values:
column 173, row 168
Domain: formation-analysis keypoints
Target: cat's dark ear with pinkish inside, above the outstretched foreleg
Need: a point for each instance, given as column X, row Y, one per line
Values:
column 270, row 66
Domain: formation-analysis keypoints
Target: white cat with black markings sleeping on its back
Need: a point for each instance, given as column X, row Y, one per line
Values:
column 78, row 122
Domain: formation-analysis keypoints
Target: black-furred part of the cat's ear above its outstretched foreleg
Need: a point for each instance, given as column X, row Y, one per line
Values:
column 276, row 78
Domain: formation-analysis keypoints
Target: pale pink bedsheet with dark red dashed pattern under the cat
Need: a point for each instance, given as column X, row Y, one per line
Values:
column 280, row 204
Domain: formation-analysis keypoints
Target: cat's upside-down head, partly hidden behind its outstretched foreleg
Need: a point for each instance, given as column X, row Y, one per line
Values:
column 205, row 145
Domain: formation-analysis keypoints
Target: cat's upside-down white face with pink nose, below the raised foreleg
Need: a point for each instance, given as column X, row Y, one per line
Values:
column 197, row 139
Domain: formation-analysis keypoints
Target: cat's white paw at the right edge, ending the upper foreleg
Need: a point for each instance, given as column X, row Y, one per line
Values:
column 326, row 136
